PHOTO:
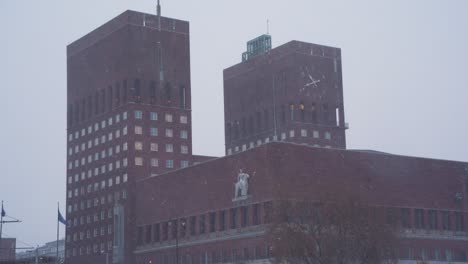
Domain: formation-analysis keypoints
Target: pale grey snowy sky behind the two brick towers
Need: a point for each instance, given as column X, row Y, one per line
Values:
column 404, row 71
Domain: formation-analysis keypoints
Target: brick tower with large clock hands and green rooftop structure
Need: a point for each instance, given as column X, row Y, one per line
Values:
column 291, row 93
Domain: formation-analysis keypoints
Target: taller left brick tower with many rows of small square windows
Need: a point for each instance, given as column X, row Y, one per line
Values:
column 129, row 116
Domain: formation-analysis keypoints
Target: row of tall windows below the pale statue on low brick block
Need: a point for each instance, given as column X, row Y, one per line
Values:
column 237, row 217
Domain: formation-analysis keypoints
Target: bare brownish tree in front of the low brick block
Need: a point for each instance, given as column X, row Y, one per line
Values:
column 346, row 231
